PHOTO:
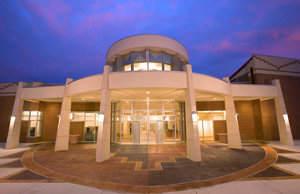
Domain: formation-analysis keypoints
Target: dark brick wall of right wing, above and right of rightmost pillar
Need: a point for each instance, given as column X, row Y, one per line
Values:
column 290, row 88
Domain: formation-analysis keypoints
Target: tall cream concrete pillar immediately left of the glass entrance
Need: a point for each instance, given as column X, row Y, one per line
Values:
column 103, row 140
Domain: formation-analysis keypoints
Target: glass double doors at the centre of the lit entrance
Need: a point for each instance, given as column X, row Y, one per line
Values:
column 148, row 130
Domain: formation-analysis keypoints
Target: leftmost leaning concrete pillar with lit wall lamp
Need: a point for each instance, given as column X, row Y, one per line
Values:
column 13, row 136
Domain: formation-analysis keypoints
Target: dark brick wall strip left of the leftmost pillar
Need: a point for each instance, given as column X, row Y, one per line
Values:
column 6, row 107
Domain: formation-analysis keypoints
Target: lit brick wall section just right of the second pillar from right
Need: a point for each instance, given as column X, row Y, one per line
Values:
column 245, row 119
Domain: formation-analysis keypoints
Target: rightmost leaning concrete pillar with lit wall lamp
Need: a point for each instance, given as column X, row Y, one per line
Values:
column 285, row 133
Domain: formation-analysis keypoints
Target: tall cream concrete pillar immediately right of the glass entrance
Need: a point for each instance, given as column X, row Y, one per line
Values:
column 193, row 144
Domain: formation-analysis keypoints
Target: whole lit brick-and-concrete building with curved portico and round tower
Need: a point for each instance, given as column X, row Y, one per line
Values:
column 148, row 94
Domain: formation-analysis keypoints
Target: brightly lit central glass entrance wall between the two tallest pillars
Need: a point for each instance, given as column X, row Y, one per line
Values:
column 148, row 122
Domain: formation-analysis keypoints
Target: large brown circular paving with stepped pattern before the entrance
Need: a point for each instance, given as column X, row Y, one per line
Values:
column 149, row 168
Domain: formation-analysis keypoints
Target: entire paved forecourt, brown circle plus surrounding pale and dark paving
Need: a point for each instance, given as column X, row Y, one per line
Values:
column 153, row 168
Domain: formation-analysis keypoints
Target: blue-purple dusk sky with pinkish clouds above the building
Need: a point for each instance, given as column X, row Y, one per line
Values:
column 52, row 40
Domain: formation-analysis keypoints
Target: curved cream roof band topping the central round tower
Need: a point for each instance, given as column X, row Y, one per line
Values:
column 142, row 42
